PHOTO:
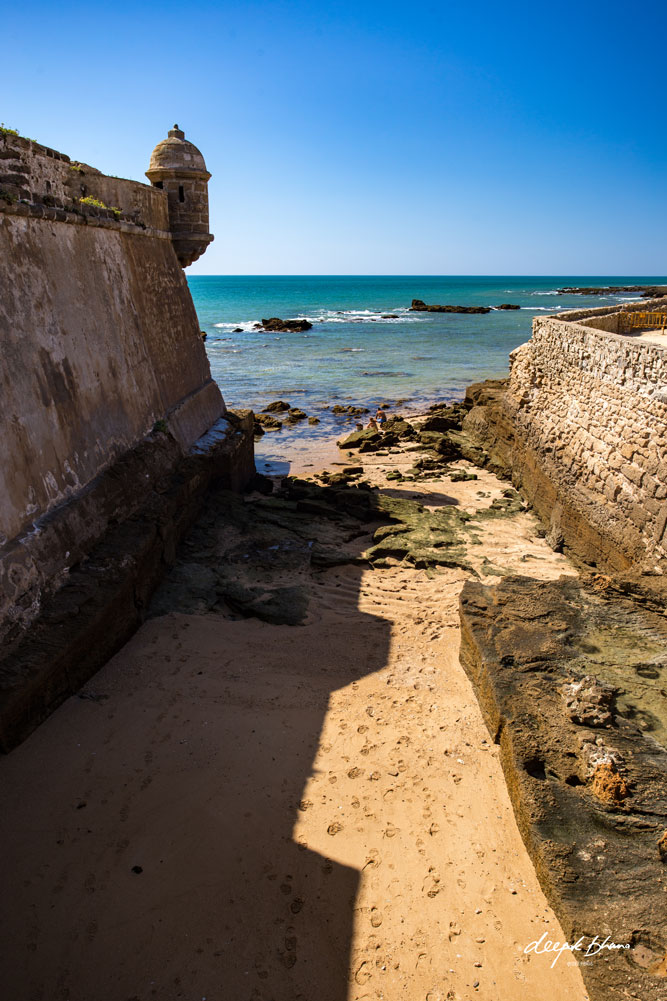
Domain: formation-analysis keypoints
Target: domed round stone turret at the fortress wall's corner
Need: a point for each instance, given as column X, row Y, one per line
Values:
column 179, row 168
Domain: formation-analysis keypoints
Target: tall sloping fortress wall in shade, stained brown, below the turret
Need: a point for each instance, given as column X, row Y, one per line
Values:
column 106, row 385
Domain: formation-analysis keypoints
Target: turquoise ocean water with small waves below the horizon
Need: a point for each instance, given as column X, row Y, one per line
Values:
column 357, row 354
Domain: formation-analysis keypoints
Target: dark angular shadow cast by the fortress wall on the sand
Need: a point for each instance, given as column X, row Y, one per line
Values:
column 149, row 829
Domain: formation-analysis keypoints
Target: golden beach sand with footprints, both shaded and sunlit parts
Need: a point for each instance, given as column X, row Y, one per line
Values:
column 236, row 811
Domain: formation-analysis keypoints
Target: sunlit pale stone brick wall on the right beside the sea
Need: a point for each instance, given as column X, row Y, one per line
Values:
column 591, row 406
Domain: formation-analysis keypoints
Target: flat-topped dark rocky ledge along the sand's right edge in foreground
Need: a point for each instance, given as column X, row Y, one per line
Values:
column 571, row 678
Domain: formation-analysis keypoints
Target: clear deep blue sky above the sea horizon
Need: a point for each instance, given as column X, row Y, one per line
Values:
column 373, row 138
